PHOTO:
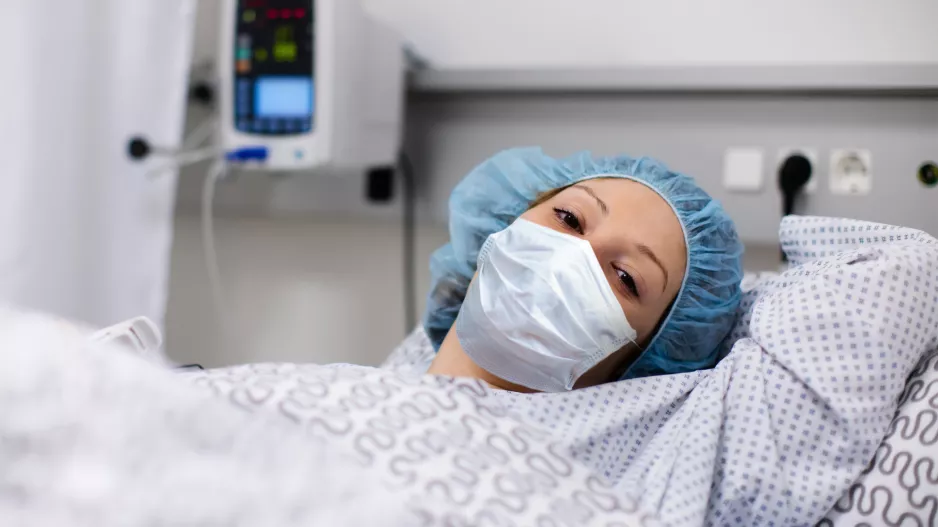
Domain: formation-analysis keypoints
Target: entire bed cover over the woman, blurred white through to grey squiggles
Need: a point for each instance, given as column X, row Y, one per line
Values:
column 96, row 437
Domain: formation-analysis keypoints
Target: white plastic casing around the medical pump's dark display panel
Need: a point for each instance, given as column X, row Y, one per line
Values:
column 359, row 76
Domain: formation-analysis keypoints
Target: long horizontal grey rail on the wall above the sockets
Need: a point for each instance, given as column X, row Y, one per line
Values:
column 913, row 79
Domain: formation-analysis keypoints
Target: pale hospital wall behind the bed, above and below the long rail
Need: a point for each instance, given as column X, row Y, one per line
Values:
column 313, row 271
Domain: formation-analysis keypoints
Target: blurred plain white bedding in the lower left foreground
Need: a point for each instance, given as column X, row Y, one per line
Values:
column 96, row 437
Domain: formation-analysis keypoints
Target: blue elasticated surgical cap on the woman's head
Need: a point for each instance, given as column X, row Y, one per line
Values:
column 499, row 190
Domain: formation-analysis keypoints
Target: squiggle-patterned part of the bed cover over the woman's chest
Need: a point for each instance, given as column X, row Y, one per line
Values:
column 447, row 446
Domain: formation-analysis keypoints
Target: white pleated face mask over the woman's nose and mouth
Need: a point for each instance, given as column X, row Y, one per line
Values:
column 541, row 312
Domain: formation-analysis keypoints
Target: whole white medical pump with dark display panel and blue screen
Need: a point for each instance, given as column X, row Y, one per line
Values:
column 308, row 84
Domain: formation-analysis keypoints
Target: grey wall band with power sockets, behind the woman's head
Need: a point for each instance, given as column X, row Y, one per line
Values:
column 448, row 134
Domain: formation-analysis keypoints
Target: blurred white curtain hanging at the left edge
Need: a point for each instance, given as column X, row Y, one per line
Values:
column 84, row 233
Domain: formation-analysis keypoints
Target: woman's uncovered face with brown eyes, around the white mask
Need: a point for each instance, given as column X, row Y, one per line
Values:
column 639, row 244
